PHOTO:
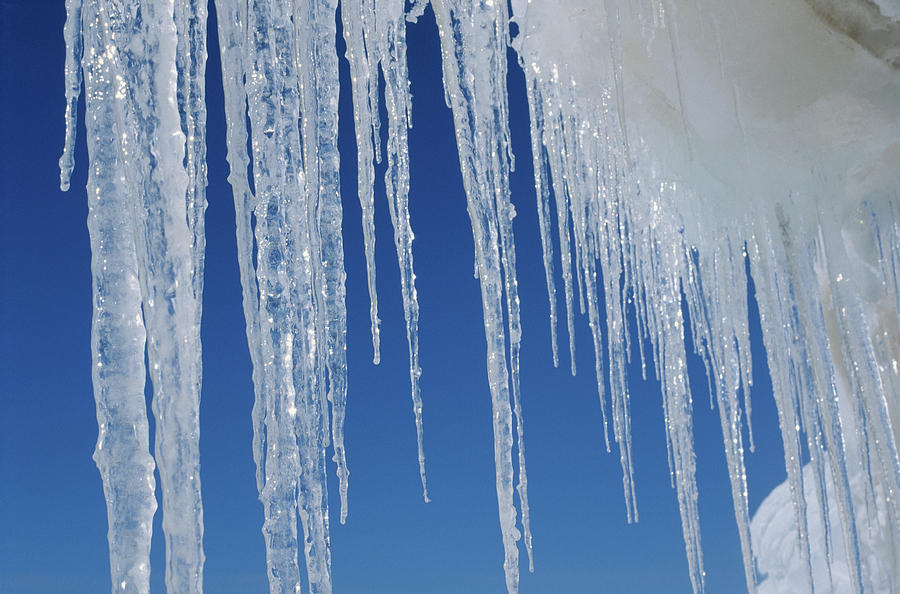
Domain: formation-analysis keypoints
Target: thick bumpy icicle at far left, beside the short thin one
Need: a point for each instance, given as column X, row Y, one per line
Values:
column 122, row 452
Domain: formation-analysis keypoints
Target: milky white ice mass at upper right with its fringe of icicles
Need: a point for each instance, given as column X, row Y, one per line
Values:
column 702, row 110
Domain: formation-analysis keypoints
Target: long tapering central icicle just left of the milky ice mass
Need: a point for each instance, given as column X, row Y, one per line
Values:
column 476, row 88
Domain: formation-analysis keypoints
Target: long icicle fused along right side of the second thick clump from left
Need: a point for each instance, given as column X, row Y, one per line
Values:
column 316, row 62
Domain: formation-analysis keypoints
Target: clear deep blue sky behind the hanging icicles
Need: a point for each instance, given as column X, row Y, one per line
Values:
column 52, row 514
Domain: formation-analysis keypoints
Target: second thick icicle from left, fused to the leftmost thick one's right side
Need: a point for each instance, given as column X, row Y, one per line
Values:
column 152, row 147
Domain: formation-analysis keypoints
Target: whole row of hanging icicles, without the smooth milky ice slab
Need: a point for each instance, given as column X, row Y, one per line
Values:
column 622, row 237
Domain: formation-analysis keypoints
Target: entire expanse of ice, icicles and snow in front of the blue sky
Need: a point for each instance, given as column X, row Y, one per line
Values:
column 676, row 144
